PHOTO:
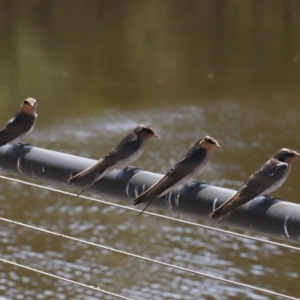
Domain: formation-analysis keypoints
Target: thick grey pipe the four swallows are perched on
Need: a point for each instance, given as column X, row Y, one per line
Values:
column 273, row 217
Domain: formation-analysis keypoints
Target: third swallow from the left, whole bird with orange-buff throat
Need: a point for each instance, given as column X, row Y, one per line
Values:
column 190, row 166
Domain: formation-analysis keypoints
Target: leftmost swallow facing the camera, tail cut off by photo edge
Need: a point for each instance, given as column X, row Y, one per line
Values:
column 21, row 124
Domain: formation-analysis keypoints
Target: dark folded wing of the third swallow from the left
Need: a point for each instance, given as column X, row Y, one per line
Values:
column 185, row 166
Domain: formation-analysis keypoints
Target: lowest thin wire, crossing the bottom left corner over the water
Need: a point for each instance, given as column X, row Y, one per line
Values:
column 65, row 279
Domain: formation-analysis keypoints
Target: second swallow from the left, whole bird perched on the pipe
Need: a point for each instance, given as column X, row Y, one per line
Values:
column 122, row 155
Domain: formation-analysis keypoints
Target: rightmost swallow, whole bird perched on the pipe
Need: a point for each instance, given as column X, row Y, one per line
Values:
column 267, row 179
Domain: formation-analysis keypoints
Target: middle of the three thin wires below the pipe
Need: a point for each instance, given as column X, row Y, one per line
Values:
column 262, row 290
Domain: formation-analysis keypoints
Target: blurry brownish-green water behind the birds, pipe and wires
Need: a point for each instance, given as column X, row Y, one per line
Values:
column 227, row 68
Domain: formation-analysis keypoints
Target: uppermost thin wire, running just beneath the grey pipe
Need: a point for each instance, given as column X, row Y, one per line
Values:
column 234, row 234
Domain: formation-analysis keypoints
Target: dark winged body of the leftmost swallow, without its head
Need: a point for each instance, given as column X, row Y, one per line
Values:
column 15, row 127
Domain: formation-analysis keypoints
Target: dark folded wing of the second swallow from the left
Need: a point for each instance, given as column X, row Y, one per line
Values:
column 125, row 148
